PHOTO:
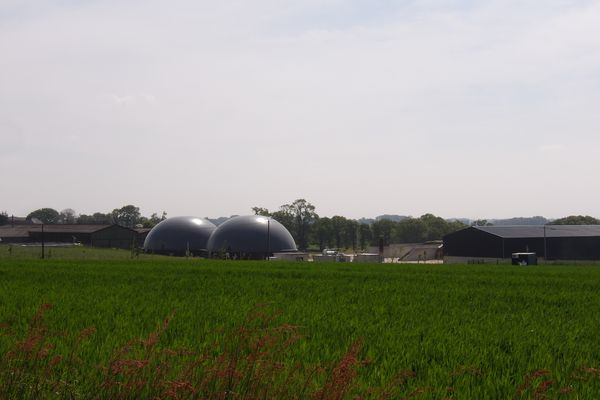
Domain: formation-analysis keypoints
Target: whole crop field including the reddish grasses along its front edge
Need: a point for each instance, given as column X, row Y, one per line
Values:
column 304, row 330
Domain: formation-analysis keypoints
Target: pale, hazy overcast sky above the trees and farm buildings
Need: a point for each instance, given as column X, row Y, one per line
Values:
column 460, row 108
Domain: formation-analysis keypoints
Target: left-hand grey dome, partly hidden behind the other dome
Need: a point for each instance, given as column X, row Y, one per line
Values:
column 178, row 234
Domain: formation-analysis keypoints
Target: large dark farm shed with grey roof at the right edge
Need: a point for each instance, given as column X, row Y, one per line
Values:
column 550, row 242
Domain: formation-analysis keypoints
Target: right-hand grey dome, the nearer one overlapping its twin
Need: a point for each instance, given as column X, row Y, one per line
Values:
column 251, row 236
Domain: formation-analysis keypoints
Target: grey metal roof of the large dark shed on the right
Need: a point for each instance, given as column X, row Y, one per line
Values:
column 539, row 231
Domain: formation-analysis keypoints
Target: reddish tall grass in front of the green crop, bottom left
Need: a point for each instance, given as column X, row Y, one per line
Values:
column 251, row 362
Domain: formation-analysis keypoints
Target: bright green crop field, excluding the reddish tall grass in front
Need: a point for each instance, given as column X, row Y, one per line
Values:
column 463, row 332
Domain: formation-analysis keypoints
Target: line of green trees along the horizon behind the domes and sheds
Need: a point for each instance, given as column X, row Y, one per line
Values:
column 306, row 226
